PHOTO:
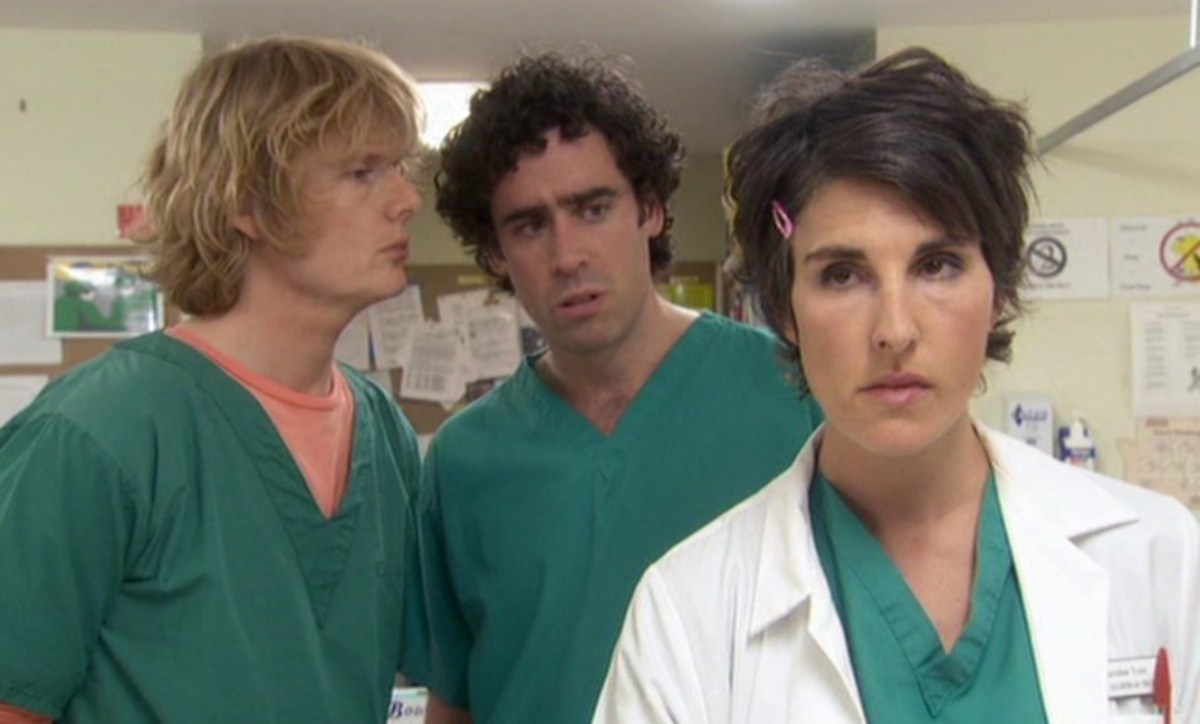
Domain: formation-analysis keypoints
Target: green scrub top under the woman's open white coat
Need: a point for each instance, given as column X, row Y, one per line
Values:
column 904, row 674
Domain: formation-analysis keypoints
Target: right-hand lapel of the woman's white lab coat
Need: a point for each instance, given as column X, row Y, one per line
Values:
column 1066, row 594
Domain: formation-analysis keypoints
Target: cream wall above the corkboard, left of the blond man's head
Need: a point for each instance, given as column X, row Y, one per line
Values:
column 93, row 105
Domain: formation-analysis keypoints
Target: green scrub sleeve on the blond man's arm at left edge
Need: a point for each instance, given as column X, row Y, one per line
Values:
column 67, row 524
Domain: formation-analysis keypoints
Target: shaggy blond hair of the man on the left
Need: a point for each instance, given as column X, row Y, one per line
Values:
column 242, row 118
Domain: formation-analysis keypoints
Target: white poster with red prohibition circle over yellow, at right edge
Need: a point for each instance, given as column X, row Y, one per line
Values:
column 1154, row 256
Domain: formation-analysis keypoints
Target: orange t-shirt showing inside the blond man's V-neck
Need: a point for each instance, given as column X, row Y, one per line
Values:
column 319, row 430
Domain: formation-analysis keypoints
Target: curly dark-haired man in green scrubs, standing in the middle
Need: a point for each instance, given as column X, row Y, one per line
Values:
column 544, row 502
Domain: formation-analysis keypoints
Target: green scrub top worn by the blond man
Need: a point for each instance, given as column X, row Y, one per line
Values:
column 165, row 561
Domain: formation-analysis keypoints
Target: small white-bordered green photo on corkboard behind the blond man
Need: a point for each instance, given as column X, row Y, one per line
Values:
column 103, row 297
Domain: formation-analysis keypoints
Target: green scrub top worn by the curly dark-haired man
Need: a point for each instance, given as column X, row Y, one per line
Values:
column 536, row 528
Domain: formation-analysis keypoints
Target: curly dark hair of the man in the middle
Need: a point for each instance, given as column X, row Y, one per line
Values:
column 538, row 94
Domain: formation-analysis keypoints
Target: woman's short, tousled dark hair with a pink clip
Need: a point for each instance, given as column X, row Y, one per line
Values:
column 911, row 122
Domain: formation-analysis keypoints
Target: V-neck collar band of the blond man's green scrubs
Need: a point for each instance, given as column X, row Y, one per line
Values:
column 322, row 546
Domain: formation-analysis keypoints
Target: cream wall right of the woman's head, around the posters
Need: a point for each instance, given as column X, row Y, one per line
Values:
column 1143, row 161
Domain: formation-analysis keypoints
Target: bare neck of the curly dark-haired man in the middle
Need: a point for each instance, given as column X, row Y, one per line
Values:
column 602, row 387
